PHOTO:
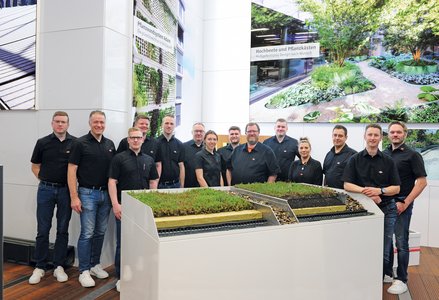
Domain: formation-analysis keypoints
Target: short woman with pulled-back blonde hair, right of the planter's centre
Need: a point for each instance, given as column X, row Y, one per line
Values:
column 306, row 169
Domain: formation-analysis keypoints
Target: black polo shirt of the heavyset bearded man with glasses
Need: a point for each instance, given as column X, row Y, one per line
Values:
column 254, row 166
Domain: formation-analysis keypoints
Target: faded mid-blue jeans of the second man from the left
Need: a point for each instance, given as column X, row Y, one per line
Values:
column 96, row 208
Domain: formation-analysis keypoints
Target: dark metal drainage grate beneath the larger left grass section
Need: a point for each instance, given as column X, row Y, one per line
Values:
column 211, row 228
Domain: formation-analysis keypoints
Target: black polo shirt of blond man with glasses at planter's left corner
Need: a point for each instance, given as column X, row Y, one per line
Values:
column 132, row 172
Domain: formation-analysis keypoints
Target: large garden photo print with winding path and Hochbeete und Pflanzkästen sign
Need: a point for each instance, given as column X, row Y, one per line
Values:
column 339, row 62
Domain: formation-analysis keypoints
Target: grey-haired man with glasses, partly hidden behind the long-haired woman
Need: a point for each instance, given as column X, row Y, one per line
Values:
column 191, row 148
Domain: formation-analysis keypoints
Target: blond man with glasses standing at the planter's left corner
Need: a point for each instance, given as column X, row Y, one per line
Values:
column 129, row 170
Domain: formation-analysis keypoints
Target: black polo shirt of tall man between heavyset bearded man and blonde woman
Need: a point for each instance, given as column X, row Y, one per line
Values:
column 285, row 151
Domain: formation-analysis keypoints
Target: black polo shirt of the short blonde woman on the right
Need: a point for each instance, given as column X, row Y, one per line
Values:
column 311, row 172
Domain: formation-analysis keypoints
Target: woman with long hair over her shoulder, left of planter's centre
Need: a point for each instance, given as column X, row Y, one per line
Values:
column 208, row 162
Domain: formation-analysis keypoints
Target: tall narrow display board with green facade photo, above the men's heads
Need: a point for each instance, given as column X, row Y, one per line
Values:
column 154, row 60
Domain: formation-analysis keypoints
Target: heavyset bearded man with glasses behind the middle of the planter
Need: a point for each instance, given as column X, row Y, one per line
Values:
column 253, row 161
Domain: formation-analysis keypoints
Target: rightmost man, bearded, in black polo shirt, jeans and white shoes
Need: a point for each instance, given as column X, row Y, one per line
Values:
column 412, row 173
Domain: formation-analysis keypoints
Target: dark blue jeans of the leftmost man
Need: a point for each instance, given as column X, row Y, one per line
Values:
column 47, row 198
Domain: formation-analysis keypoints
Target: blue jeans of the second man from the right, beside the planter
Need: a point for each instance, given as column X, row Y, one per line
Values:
column 390, row 215
